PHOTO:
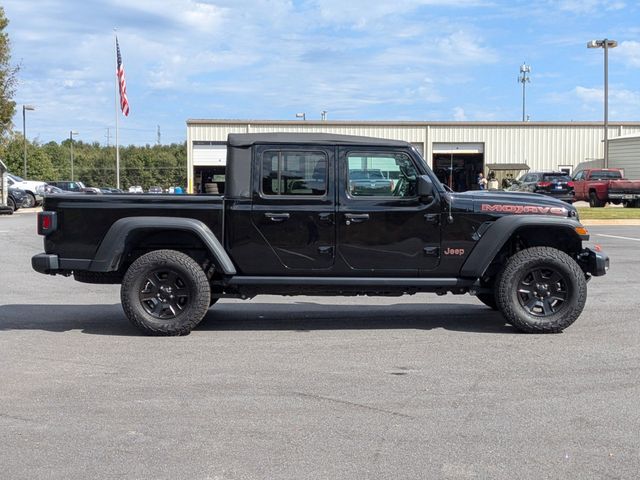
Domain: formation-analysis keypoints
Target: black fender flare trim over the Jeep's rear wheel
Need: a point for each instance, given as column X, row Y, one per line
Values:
column 110, row 251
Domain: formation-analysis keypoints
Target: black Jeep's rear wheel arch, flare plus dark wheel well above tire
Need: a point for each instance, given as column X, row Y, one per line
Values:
column 127, row 234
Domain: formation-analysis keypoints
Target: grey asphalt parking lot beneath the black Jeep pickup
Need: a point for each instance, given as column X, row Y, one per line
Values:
column 315, row 388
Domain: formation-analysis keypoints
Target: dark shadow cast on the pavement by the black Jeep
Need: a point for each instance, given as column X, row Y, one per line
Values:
column 294, row 316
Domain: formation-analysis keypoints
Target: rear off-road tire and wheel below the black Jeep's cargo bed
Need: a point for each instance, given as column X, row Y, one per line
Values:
column 137, row 294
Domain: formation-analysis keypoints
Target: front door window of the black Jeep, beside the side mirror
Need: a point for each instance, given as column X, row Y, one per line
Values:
column 381, row 175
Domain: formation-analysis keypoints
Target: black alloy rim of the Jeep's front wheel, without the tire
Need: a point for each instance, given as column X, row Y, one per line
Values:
column 543, row 291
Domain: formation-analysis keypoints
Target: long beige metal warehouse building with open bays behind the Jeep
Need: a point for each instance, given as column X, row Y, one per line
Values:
column 507, row 148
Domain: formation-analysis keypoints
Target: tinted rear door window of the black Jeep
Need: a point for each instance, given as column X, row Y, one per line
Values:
column 294, row 173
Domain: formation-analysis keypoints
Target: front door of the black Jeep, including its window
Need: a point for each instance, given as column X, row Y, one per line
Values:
column 382, row 224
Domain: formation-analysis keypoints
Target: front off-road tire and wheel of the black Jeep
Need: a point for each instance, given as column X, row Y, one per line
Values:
column 519, row 270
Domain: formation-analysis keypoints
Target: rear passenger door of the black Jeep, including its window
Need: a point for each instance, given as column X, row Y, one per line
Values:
column 293, row 208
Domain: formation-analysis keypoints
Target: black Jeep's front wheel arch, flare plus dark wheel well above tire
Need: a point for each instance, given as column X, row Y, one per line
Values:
column 534, row 231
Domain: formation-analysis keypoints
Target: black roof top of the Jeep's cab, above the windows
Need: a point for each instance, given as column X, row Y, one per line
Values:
column 248, row 139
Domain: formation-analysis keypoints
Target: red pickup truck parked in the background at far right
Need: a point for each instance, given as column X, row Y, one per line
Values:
column 601, row 185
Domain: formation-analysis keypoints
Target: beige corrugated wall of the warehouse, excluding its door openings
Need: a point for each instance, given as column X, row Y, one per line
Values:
column 541, row 145
